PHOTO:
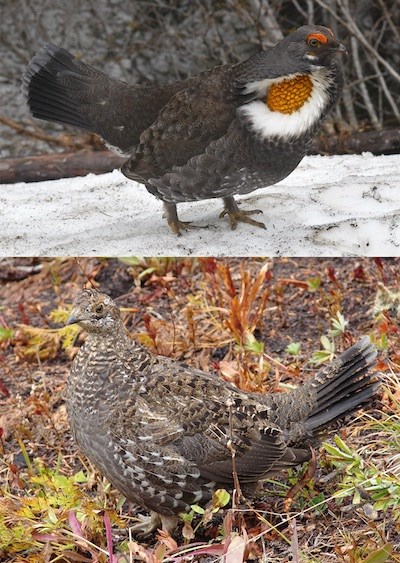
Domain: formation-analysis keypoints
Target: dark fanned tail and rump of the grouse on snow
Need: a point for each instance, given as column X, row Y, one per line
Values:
column 59, row 87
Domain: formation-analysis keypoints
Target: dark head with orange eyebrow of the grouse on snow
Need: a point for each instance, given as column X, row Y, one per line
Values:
column 312, row 46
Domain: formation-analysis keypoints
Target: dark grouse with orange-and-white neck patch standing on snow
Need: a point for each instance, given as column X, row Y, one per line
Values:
column 229, row 130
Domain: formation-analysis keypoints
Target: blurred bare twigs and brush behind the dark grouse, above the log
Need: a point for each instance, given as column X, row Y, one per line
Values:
column 166, row 40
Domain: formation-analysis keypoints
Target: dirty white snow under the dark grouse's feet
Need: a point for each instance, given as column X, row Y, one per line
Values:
column 329, row 206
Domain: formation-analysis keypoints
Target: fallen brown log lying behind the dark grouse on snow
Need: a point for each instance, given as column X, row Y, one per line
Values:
column 68, row 165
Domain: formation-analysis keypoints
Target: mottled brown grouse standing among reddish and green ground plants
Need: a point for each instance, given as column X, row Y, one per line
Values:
column 160, row 431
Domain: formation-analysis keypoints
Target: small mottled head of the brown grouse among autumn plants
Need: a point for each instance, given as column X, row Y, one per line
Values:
column 95, row 312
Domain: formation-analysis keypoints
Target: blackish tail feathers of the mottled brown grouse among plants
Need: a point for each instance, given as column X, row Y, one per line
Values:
column 344, row 385
